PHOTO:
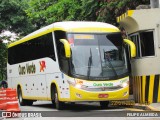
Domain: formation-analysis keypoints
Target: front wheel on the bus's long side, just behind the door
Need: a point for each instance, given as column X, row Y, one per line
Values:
column 58, row 104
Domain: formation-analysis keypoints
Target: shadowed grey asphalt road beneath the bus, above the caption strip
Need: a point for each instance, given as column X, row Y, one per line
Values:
column 72, row 108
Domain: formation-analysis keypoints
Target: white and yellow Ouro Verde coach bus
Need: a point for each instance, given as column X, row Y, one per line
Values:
column 72, row 61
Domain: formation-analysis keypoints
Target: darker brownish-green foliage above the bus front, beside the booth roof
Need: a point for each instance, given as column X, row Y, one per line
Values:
column 108, row 10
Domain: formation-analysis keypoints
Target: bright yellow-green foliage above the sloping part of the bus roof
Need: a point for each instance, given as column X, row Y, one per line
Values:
column 44, row 12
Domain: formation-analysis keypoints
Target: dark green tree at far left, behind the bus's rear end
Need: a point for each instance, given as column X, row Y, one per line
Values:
column 12, row 18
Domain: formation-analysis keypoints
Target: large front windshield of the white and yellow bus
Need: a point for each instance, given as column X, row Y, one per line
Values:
column 97, row 56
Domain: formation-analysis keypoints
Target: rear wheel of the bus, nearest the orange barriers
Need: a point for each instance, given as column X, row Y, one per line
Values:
column 22, row 101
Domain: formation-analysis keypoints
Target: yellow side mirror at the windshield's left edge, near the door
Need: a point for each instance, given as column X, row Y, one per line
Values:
column 66, row 48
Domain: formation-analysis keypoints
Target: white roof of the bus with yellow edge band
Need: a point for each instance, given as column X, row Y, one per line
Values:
column 69, row 26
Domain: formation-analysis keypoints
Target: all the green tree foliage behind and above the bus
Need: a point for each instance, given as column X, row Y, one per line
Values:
column 24, row 16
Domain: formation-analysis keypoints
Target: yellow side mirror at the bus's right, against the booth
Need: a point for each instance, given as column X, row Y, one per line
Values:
column 132, row 47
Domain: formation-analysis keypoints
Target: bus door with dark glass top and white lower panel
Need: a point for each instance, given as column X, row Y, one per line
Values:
column 63, row 64
